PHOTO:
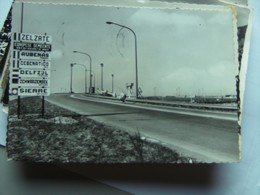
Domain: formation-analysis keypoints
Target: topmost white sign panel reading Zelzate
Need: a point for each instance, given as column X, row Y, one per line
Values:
column 24, row 37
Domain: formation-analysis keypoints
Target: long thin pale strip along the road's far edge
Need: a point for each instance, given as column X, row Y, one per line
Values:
column 230, row 118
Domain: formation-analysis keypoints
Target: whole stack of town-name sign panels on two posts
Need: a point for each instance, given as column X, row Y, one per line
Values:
column 31, row 66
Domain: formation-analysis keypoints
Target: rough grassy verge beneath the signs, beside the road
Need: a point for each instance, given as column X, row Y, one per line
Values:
column 65, row 136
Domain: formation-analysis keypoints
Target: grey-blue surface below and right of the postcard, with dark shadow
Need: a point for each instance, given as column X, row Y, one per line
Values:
column 238, row 178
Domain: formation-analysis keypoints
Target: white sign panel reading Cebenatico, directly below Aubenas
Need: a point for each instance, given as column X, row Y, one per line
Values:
column 34, row 64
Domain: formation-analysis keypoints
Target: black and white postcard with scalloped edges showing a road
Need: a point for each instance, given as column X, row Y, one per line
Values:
column 124, row 84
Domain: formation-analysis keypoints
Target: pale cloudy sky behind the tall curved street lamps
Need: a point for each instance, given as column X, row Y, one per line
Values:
column 180, row 52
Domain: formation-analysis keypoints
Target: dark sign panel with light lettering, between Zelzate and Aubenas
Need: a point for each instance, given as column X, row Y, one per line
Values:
column 32, row 46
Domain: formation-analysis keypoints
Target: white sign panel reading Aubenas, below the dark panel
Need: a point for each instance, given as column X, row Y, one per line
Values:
column 31, row 55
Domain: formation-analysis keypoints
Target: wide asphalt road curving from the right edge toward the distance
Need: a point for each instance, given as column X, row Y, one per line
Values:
column 206, row 136
